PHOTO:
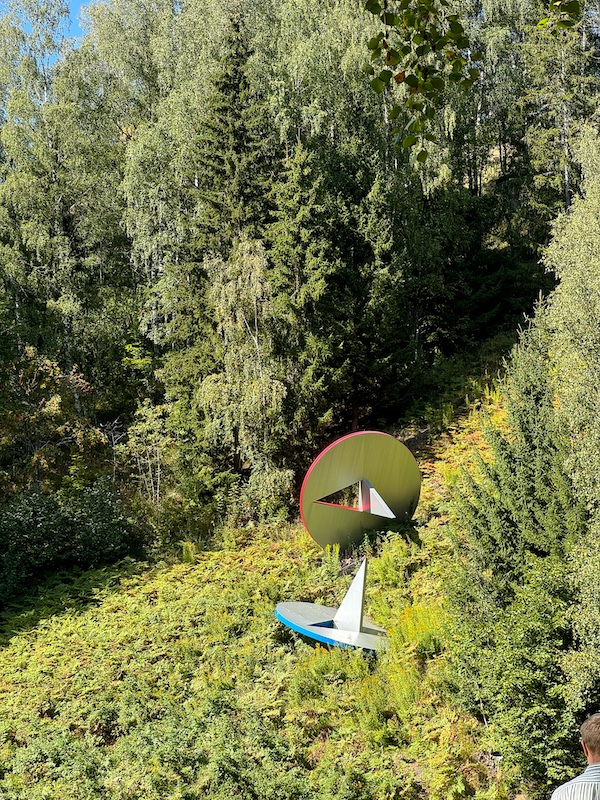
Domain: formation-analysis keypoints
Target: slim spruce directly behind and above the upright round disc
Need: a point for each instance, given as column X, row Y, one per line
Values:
column 302, row 261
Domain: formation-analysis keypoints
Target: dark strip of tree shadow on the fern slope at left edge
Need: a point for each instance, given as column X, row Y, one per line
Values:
column 64, row 592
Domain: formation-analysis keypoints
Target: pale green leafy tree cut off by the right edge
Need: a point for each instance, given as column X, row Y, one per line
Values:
column 573, row 314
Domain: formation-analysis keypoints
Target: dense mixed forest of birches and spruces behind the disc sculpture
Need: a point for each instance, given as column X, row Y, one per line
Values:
column 209, row 236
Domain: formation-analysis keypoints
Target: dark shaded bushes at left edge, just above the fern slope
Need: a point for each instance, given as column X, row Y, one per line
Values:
column 41, row 534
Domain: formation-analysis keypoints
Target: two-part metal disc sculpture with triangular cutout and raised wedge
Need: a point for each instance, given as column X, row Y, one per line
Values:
column 389, row 484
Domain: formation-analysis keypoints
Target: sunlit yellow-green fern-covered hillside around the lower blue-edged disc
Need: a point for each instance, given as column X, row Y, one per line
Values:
column 176, row 680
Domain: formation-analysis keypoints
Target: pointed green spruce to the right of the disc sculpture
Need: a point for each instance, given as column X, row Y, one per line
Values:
column 522, row 500
